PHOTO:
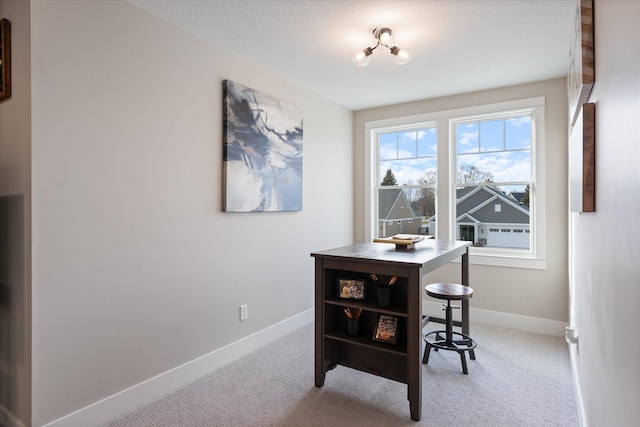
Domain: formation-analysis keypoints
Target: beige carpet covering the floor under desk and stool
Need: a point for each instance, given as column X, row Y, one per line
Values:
column 517, row 379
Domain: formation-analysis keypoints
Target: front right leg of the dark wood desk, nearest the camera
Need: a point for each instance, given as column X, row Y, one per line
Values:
column 414, row 344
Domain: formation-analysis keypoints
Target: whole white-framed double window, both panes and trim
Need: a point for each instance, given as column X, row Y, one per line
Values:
column 479, row 170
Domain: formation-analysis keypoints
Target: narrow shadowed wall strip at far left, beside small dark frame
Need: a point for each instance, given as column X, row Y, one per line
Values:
column 15, row 181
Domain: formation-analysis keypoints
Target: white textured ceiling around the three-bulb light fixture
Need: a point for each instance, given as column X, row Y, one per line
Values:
column 458, row 46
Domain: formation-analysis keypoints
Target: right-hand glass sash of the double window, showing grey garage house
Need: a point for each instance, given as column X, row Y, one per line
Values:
column 493, row 165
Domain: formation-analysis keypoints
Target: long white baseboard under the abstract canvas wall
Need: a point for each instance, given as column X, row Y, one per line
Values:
column 127, row 400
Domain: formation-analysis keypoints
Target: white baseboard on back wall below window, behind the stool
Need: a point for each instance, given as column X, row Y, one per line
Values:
column 507, row 320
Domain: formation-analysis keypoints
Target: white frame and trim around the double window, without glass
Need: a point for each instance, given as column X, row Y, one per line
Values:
column 535, row 258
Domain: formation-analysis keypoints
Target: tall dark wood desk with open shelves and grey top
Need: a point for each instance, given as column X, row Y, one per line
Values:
column 401, row 361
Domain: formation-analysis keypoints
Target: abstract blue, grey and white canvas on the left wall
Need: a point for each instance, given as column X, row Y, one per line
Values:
column 262, row 152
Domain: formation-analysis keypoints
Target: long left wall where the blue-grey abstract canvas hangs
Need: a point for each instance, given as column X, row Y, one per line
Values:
column 135, row 268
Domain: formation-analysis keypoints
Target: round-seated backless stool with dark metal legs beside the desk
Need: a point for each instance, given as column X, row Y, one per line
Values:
column 454, row 341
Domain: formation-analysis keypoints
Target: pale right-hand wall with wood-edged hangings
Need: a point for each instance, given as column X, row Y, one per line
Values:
column 605, row 244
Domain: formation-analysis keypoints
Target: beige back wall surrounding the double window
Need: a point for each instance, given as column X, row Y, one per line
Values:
column 540, row 294
